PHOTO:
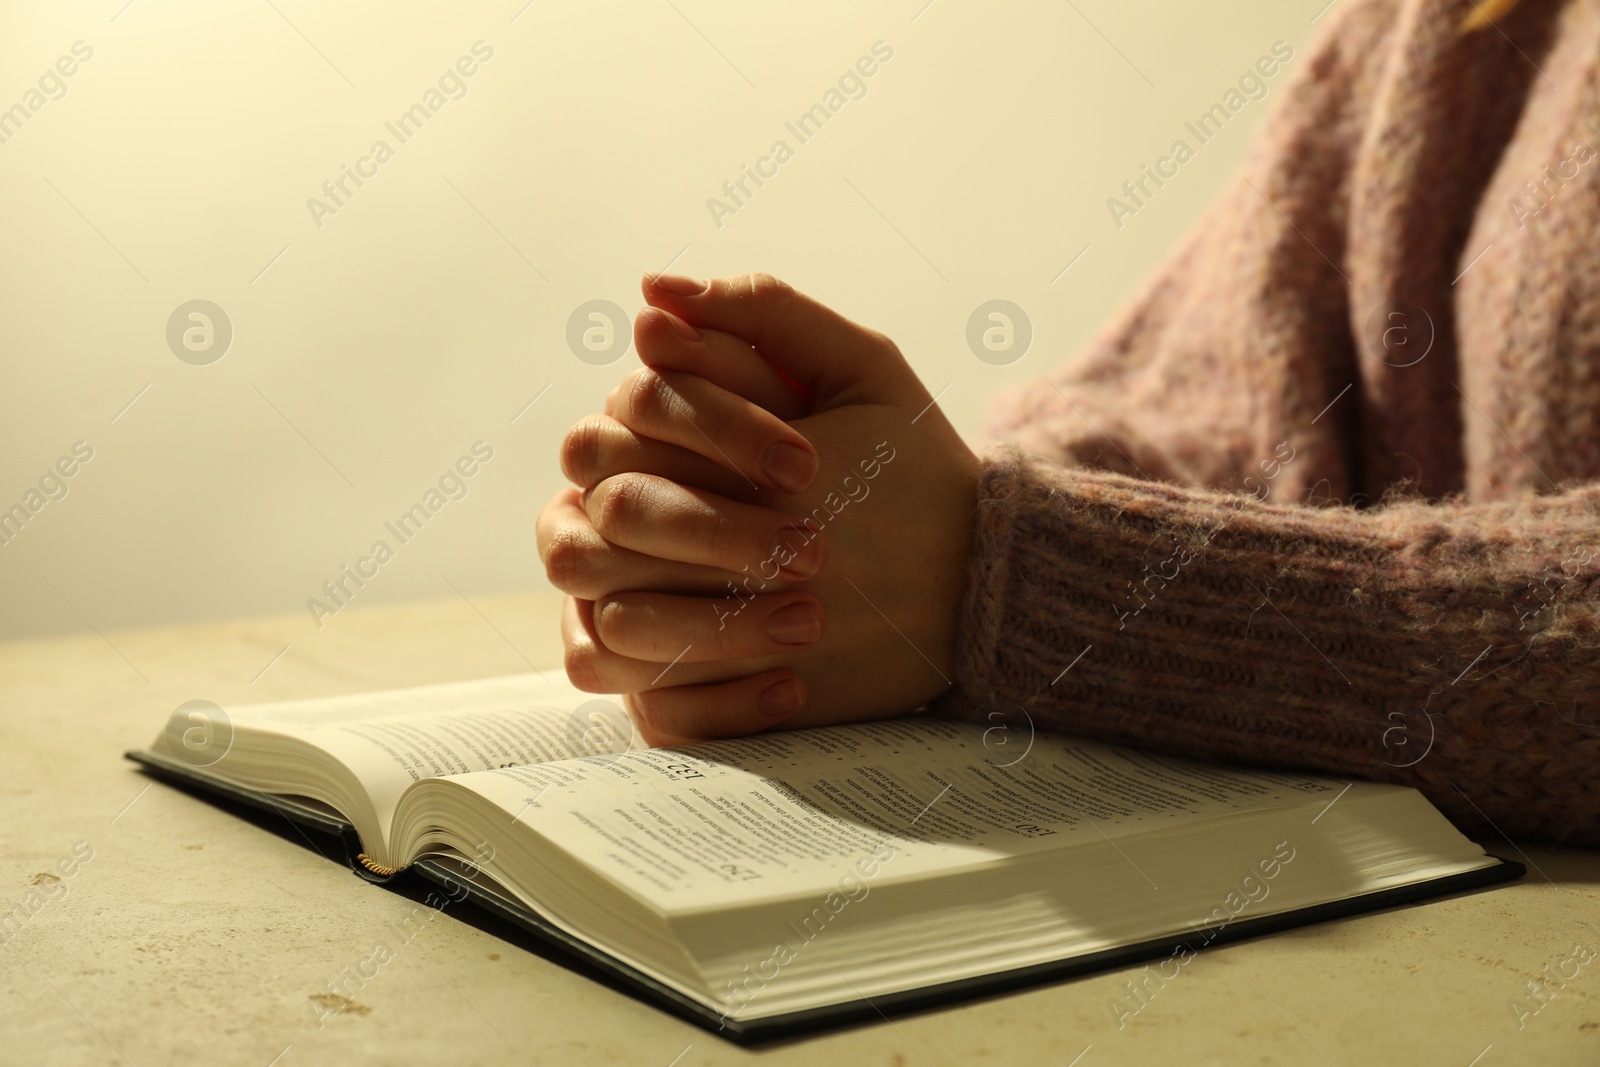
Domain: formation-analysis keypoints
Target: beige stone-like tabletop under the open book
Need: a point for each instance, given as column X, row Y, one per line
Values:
column 194, row 937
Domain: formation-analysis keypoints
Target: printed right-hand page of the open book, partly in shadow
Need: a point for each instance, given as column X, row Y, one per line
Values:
column 788, row 812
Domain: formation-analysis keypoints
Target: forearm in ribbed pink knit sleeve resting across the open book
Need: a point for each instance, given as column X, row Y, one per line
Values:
column 1444, row 647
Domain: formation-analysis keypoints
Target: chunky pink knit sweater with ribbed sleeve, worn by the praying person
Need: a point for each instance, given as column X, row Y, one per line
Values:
column 1326, row 494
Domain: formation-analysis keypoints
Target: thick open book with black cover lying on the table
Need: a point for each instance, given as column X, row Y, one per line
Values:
column 812, row 877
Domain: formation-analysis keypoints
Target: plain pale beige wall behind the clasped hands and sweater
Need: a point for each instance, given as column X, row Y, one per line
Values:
column 370, row 353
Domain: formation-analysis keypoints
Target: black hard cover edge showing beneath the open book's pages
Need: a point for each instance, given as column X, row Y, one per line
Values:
column 458, row 885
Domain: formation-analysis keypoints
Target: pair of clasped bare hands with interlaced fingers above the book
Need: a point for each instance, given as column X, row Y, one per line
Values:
column 770, row 524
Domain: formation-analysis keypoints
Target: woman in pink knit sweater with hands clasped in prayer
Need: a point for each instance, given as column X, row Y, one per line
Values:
column 1324, row 495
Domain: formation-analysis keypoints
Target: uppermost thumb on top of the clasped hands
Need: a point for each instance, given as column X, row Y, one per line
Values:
column 804, row 340
